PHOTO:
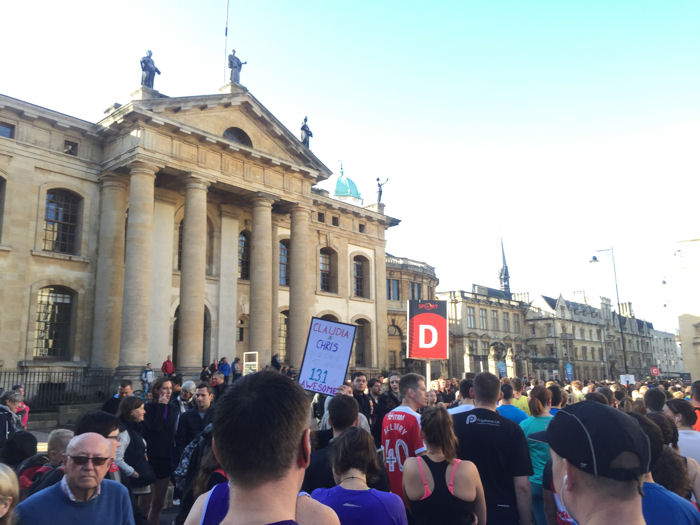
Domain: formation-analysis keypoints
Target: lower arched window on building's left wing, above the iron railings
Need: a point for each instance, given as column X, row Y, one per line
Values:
column 54, row 316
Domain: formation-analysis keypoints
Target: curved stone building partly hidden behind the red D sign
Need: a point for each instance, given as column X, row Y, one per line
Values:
column 405, row 280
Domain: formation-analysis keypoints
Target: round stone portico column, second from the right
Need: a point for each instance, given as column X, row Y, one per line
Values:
column 261, row 280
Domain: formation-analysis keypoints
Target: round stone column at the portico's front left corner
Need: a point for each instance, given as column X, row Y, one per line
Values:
column 137, row 271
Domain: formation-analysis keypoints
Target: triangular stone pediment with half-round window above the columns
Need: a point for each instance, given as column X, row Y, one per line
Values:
column 238, row 109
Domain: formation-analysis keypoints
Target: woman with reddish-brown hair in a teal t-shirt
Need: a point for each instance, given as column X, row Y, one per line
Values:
column 540, row 402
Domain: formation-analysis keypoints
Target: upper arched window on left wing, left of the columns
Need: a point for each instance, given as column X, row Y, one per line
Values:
column 61, row 218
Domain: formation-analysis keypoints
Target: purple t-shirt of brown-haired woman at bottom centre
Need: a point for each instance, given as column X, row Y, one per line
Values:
column 363, row 507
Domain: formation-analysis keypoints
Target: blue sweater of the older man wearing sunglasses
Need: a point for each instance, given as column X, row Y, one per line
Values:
column 51, row 505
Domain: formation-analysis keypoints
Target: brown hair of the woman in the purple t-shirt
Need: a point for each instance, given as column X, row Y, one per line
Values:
column 355, row 448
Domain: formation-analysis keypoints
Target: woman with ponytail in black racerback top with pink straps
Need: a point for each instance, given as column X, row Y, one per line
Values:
column 439, row 487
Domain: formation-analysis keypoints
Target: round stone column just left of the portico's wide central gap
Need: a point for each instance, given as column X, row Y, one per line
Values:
column 193, row 275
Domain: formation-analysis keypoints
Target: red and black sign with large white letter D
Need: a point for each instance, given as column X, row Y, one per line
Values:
column 428, row 334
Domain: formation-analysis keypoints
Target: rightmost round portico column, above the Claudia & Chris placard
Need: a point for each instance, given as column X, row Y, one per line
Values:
column 301, row 275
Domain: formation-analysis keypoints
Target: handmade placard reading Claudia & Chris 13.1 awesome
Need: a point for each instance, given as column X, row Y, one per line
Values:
column 327, row 355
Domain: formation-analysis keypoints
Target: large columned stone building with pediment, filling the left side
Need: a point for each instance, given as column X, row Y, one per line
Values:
column 186, row 226
